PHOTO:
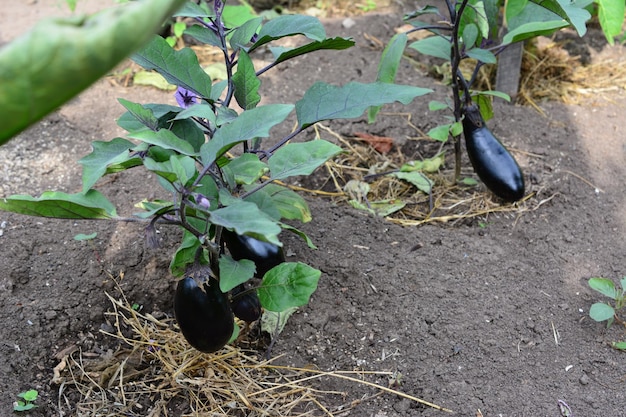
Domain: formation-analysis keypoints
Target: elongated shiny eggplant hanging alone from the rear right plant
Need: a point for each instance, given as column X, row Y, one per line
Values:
column 493, row 164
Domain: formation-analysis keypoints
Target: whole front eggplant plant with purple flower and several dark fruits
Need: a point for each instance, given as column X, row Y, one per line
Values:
column 210, row 156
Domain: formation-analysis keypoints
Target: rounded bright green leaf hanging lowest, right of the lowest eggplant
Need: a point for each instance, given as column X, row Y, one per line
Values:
column 288, row 285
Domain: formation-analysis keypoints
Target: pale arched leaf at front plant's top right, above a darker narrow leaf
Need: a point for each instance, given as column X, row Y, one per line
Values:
column 290, row 25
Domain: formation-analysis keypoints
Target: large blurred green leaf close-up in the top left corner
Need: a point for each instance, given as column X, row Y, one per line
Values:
column 59, row 58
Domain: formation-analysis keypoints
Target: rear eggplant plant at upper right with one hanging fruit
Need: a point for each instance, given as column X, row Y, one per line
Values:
column 469, row 29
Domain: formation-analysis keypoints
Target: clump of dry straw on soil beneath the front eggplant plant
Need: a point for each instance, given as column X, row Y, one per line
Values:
column 157, row 373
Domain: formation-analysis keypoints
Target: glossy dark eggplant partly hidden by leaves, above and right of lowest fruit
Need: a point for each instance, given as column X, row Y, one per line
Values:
column 265, row 255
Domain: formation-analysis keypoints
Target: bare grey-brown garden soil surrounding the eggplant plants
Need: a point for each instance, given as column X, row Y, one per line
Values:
column 485, row 316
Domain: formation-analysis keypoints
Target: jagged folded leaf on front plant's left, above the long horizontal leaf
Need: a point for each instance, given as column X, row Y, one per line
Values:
column 107, row 158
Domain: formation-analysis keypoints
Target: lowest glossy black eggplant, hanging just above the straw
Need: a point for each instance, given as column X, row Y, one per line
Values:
column 204, row 316
